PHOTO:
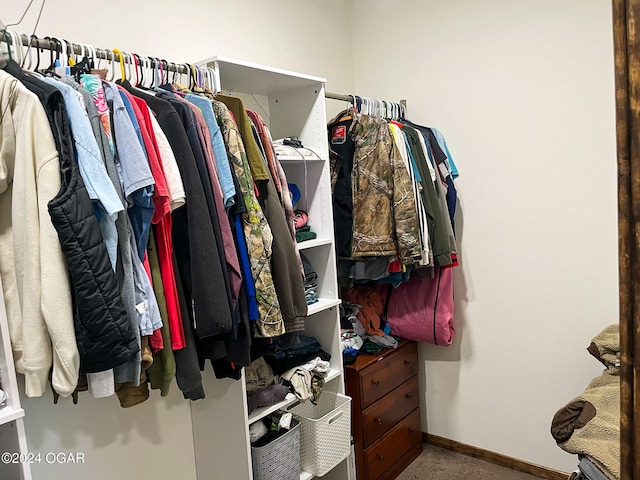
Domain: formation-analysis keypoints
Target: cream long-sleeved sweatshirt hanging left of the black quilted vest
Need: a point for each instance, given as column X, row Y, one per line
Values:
column 34, row 273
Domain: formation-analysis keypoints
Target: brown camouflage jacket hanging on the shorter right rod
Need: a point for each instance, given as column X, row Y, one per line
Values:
column 385, row 220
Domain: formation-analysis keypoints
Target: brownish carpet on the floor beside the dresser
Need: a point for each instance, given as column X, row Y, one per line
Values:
column 439, row 464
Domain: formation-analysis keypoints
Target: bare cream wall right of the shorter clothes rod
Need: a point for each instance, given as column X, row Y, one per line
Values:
column 524, row 93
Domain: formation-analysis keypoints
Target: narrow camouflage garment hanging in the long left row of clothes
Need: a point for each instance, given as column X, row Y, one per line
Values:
column 256, row 229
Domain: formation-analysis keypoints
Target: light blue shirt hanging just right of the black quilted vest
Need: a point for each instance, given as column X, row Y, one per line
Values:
column 92, row 168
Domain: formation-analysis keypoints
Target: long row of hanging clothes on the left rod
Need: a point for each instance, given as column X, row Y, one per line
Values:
column 145, row 228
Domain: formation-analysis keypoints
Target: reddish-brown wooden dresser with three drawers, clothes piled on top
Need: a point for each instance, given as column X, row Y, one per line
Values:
column 385, row 412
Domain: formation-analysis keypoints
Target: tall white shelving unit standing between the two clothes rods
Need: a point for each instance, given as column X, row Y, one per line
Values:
column 291, row 104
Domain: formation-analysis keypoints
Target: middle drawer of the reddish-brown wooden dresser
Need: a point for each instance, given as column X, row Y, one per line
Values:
column 386, row 412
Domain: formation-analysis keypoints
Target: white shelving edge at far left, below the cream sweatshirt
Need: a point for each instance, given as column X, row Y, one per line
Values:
column 13, row 438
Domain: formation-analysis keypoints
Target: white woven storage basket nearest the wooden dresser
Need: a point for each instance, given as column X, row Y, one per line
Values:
column 326, row 432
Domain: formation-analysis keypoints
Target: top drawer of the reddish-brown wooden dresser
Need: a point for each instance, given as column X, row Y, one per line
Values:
column 387, row 373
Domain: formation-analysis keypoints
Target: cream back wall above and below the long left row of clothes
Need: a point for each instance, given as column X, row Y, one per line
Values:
column 155, row 439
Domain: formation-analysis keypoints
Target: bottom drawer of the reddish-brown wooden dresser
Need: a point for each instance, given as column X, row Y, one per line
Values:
column 384, row 453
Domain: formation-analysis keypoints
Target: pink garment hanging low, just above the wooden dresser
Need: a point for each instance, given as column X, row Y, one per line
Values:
column 422, row 308
